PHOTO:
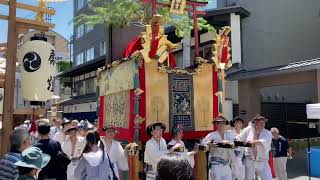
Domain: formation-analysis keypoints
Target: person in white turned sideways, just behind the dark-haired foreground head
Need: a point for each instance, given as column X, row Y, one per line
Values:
column 177, row 133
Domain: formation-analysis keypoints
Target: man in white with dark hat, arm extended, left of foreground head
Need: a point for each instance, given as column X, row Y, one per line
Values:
column 156, row 147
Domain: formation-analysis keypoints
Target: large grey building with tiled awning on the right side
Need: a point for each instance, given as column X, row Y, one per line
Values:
column 278, row 74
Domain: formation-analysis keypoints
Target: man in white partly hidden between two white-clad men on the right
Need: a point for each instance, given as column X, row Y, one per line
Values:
column 237, row 167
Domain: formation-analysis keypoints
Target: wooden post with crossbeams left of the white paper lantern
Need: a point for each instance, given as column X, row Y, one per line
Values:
column 16, row 25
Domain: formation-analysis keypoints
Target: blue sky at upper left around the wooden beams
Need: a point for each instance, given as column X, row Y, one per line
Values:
column 62, row 18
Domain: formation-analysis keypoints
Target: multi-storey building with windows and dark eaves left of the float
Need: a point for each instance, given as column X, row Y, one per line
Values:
column 92, row 48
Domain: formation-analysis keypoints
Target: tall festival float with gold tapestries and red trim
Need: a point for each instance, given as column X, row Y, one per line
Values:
column 146, row 87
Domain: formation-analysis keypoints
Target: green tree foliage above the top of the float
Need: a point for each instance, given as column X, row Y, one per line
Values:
column 120, row 13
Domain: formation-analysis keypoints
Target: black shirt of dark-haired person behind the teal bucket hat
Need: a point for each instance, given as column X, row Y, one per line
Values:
column 50, row 171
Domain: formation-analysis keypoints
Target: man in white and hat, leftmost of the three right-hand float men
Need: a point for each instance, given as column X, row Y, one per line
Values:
column 220, row 158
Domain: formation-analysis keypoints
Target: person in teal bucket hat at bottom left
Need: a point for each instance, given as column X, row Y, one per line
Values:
column 32, row 161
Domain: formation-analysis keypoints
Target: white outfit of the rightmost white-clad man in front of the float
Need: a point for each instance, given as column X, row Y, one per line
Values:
column 257, row 165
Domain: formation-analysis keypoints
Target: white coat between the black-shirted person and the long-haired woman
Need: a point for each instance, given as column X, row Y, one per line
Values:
column 67, row 148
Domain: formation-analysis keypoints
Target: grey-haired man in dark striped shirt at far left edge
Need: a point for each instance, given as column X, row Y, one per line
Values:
column 19, row 141
